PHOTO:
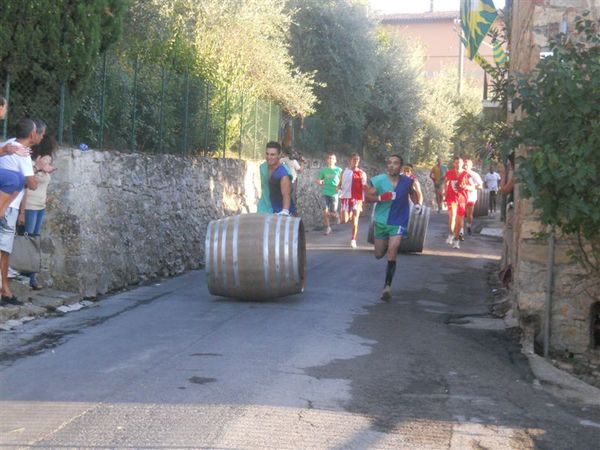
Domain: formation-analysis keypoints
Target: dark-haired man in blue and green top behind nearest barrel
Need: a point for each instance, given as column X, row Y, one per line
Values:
column 276, row 184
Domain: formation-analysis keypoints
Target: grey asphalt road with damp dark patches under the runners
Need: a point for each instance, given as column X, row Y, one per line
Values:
column 169, row 366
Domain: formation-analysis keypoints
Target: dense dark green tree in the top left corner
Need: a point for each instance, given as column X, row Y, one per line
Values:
column 44, row 44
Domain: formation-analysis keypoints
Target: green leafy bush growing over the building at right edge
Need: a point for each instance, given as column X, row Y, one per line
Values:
column 562, row 129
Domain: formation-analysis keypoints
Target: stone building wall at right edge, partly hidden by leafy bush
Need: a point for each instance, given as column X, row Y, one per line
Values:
column 533, row 22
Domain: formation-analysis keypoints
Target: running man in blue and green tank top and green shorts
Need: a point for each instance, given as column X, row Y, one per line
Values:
column 392, row 191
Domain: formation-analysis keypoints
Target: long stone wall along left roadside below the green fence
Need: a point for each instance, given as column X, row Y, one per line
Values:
column 116, row 219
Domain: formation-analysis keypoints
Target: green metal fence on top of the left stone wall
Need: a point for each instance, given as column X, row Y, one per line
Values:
column 131, row 106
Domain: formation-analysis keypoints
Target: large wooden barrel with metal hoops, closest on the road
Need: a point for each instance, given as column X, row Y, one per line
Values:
column 255, row 256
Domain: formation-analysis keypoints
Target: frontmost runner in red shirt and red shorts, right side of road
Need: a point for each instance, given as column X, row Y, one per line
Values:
column 456, row 200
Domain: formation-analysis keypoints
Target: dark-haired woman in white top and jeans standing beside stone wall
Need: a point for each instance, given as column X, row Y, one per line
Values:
column 35, row 201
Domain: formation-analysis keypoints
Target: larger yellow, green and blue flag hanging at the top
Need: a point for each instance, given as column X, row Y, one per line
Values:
column 476, row 16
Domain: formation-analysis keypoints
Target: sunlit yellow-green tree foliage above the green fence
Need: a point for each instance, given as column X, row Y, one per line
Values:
column 240, row 46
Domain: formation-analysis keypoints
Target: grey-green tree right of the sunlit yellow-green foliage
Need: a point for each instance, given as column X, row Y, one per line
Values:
column 335, row 40
